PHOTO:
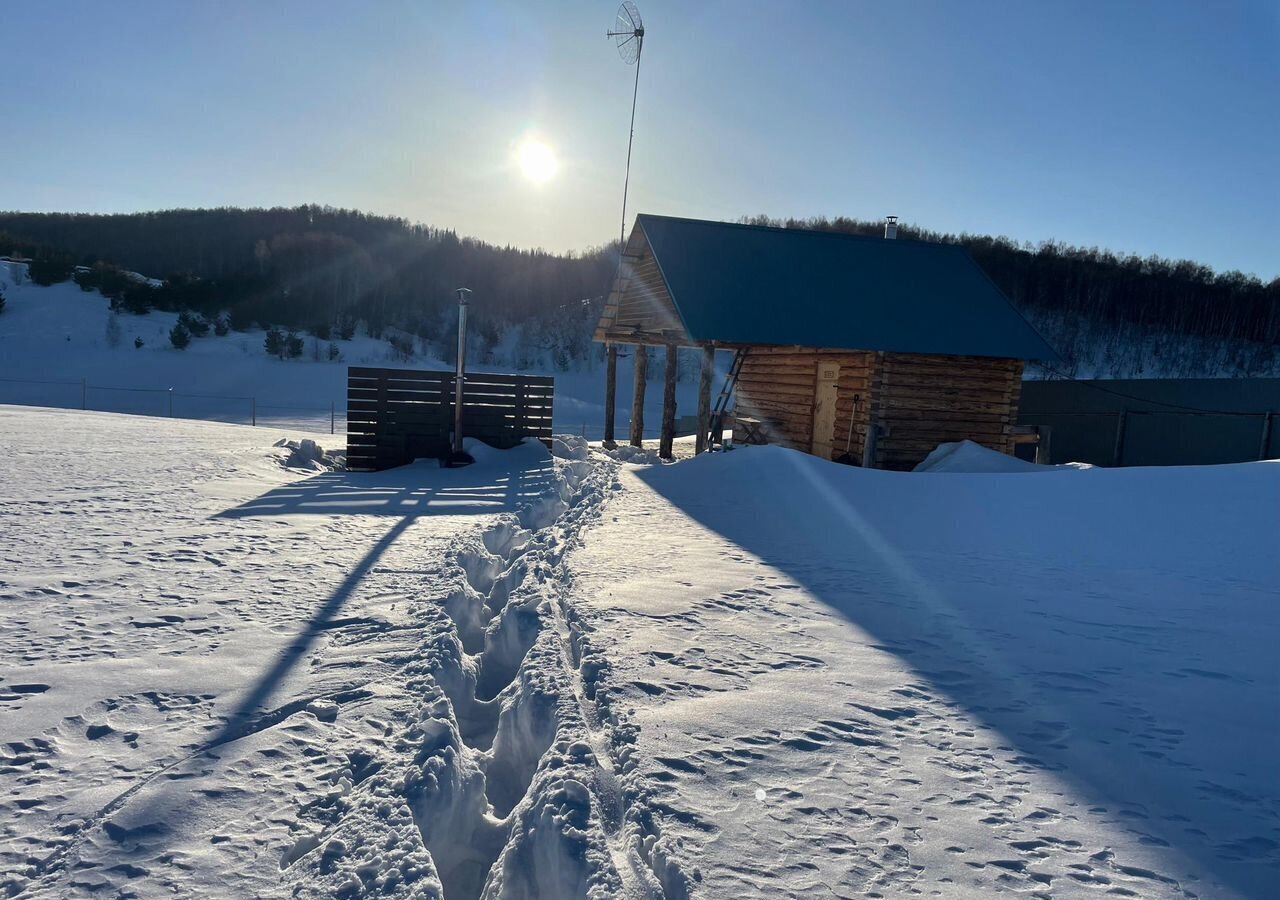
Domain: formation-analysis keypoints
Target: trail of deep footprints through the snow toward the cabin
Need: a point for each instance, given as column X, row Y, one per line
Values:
column 508, row 780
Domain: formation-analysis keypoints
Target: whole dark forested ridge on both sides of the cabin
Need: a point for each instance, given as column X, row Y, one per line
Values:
column 314, row 267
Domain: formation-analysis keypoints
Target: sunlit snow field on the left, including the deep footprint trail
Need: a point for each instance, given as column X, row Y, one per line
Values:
column 220, row 678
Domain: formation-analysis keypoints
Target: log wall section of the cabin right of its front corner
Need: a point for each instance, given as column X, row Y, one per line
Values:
column 922, row 401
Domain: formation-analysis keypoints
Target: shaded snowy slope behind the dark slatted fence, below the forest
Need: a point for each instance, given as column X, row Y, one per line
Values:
column 60, row 333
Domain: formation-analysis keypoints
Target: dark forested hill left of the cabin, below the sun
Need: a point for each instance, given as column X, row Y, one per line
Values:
column 313, row 267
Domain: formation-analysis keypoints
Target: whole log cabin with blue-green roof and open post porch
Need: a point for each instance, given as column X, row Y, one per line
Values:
column 849, row 348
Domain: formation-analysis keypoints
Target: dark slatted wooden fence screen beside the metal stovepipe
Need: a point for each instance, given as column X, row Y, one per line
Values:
column 400, row 415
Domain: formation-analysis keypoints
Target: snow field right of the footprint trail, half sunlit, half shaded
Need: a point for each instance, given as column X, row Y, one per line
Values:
column 852, row 683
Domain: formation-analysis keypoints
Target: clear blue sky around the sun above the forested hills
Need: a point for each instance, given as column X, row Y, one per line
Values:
column 1137, row 126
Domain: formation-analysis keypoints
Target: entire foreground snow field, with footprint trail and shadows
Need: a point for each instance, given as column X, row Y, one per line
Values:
column 744, row 675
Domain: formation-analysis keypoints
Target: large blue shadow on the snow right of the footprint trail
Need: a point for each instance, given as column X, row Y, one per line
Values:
column 1071, row 623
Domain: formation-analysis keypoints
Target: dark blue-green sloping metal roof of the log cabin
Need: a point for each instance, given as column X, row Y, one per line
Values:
column 755, row 285
